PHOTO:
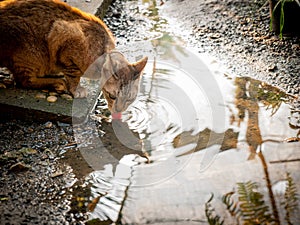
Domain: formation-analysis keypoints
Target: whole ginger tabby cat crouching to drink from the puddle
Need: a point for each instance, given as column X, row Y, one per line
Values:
column 42, row 38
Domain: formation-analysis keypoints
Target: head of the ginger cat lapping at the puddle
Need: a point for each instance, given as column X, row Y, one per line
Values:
column 122, row 80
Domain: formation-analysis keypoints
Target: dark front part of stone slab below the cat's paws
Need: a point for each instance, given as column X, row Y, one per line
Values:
column 23, row 104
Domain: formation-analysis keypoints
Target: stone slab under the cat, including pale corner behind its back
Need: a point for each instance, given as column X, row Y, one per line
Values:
column 22, row 104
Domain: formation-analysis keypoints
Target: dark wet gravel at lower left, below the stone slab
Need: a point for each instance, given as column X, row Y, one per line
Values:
column 30, row 189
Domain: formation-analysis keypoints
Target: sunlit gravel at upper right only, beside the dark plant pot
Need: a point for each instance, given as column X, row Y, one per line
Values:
column 238, row 34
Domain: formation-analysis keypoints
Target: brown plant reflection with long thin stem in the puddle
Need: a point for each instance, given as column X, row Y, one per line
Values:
column 249, row 94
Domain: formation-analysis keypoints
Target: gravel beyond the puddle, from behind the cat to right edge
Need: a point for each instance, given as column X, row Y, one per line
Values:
column 237, row 33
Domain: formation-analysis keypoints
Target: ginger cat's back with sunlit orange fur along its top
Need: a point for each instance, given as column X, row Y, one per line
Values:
column 29, row 21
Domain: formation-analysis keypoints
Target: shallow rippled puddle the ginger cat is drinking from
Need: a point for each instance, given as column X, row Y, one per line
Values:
column 193, row 131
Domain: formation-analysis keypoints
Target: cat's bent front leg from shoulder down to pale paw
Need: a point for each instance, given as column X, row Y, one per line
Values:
column 74, row 57
